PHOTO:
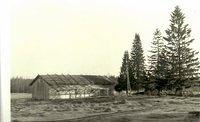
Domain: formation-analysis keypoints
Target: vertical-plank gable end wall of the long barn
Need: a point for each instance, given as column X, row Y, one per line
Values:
column 40, row 90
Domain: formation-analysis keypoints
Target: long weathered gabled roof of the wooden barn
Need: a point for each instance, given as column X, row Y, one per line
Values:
column 58, row 80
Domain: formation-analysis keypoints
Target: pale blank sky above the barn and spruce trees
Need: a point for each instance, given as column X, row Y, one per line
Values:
column 87, row 36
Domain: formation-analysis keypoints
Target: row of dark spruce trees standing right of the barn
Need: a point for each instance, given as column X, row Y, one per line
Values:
column 172, row 63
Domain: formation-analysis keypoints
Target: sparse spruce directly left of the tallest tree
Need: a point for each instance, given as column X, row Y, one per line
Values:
column 158, row 67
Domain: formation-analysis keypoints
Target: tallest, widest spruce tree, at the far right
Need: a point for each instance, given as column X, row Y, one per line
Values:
column 182, row 62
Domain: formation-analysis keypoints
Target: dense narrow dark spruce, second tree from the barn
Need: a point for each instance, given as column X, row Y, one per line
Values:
column 137, row 63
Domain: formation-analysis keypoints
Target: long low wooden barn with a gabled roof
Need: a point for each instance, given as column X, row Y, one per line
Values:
column 45, row 87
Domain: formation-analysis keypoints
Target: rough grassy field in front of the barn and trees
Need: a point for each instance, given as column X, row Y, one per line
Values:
column 115, row 109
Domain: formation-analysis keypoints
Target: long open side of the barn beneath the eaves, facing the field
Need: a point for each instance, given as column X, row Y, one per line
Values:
column 70, row 93
